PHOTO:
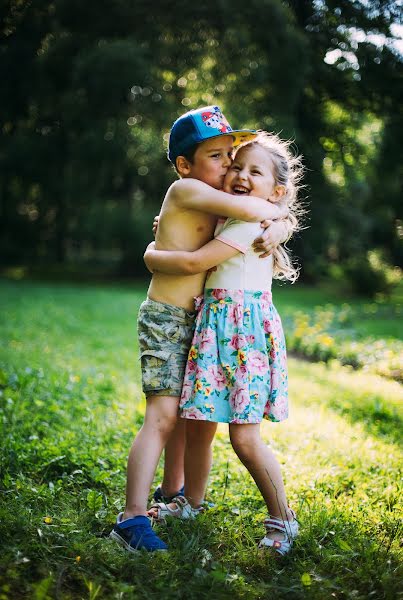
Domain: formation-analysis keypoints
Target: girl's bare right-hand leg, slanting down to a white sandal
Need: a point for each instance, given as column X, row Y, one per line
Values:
column 263, row 466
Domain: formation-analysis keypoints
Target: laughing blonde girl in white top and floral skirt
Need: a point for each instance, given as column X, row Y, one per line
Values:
column 236, row 371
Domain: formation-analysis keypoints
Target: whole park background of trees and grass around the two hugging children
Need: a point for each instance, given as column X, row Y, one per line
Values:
column 89, row 91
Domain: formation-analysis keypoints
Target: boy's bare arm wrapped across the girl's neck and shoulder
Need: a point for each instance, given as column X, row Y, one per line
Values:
column 197, row 195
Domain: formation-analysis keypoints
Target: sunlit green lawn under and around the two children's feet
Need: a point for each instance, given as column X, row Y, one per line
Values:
column 70, row 406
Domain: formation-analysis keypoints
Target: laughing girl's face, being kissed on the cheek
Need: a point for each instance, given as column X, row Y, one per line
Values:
column 251, row 174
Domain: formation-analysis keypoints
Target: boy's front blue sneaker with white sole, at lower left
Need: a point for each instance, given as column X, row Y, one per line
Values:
column 136, row 533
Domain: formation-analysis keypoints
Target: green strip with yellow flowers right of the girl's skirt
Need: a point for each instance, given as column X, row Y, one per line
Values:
column 325, row 326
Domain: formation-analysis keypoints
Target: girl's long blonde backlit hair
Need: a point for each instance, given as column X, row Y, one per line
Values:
column 287, row 171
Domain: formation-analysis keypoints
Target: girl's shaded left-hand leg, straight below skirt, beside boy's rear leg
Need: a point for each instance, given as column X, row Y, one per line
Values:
column 198, row 459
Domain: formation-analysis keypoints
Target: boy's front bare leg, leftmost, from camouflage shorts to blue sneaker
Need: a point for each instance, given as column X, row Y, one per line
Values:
column 159, row 422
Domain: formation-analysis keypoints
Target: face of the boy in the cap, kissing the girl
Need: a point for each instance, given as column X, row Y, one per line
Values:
column 211, row 161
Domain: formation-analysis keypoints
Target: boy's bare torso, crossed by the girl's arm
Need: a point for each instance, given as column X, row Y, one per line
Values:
column 180, row 229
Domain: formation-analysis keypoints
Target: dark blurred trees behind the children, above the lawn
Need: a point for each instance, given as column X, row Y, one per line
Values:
column 90, row 89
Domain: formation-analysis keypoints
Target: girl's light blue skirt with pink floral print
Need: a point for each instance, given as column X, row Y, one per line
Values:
column 237, row 365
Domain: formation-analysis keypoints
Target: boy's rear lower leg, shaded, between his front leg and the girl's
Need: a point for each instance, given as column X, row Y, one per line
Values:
column 174, row 460
